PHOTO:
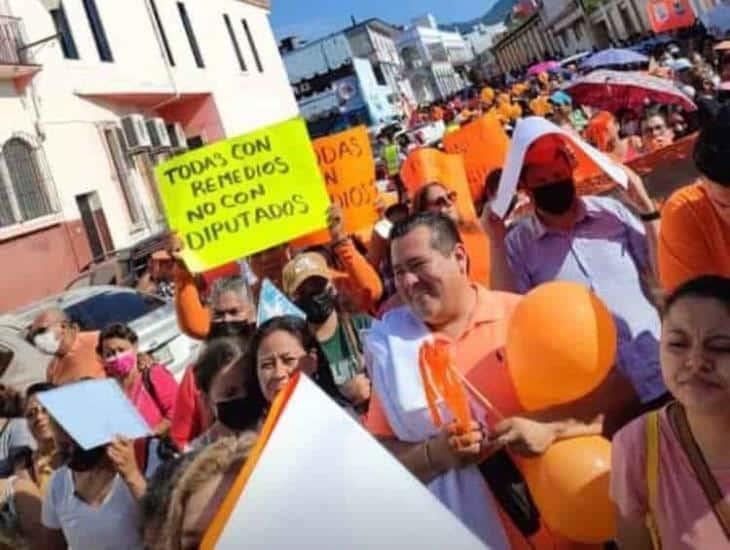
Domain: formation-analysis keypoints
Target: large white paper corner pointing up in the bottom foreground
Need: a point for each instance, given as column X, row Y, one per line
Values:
column 324, row 482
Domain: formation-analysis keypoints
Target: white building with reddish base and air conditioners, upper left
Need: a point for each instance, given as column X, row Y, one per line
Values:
column 76, row 172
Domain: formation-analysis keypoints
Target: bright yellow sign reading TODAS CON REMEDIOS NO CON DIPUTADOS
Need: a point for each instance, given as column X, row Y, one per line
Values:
column 243, row 195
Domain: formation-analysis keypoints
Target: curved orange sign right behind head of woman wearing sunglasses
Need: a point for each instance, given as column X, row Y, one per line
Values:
column 425, row 166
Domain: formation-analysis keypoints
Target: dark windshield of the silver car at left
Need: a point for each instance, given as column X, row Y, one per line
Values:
column 106, row 308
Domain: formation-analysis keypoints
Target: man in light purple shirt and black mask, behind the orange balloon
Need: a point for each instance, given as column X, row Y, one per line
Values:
column 598, row 242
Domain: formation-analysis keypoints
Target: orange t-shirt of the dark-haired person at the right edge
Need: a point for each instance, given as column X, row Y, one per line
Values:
column 693, row 240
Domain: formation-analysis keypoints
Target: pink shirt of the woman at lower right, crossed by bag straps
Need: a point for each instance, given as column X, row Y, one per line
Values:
column 684, row 517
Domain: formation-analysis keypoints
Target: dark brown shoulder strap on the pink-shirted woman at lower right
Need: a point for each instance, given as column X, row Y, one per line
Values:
column 712, row 490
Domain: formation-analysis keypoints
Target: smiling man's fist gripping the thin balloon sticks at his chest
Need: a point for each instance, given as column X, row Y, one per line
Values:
column 456, row 446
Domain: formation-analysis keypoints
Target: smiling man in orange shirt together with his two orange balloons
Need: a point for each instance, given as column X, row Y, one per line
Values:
column 468, row 398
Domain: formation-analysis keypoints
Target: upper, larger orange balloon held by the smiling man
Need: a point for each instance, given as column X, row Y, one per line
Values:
column 561, row 344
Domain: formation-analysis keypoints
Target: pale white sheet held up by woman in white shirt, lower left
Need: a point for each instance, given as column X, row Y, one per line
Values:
column 93, row 412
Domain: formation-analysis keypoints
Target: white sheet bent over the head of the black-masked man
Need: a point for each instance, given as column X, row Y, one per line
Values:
column 529, row 130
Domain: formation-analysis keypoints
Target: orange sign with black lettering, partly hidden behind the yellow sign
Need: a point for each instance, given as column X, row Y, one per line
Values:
column 348, row 168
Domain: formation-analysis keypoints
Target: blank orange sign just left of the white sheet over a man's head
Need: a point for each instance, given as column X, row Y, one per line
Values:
column 484, row 144
